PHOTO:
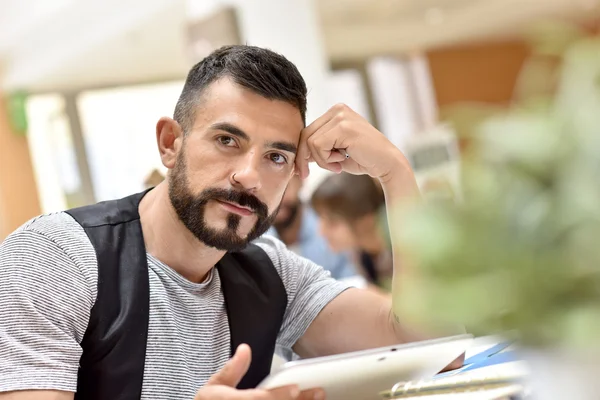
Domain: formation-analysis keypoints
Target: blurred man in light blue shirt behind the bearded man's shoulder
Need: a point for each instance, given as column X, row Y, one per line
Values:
column 297, row 226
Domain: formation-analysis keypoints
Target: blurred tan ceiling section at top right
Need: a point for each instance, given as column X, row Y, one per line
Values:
column 355, row 29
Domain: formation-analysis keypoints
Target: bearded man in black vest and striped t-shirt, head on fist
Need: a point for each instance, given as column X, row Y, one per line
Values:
column 149, row 296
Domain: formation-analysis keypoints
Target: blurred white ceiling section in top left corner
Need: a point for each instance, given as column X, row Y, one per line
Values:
column 88, row 43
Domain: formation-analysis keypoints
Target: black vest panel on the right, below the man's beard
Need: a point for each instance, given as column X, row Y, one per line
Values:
column 256, row 300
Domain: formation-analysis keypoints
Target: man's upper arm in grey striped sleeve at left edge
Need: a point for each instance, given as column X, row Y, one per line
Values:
column 45, row 303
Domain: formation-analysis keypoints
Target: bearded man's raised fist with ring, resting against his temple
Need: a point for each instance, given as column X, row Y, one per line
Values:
column 340, row 128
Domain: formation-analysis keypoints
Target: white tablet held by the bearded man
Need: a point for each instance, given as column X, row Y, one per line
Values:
column 364, row 374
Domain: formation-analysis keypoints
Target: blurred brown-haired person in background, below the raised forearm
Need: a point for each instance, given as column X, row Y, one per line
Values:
column 351, row 210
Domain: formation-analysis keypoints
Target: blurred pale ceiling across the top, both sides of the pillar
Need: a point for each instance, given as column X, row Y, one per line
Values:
column 68, row 44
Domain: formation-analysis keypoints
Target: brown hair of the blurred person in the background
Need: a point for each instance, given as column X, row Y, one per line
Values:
column 348, row 196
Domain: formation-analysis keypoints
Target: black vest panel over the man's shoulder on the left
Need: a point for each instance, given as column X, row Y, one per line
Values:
column 114, row 344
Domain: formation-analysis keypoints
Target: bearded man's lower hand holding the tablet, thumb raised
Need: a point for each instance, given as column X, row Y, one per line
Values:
column 221, row 386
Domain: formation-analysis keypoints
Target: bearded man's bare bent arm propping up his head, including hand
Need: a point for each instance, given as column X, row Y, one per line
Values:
column 358, row 319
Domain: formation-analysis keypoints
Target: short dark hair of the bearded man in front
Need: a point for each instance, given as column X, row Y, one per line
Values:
column 260, row 70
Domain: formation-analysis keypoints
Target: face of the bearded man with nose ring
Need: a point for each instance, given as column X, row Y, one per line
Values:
column 234, row 165
